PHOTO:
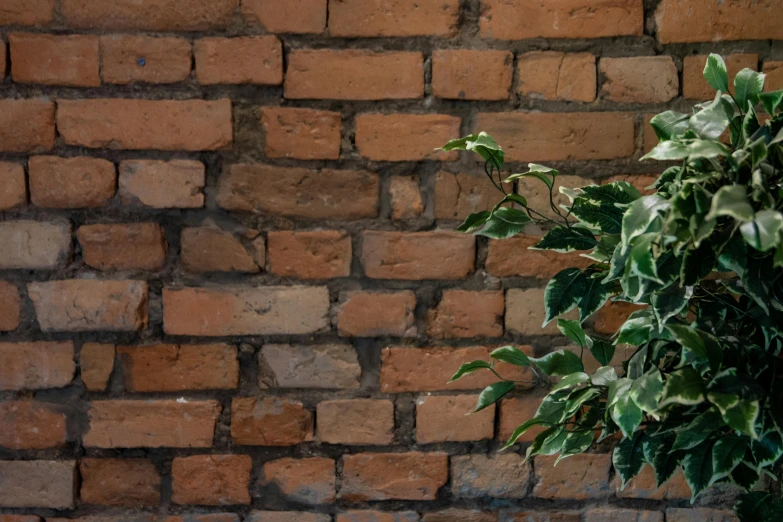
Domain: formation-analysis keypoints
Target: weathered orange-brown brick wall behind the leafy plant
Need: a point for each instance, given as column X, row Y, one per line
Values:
column 229, row 283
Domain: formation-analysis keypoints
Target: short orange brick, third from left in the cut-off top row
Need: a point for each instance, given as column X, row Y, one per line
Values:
column 293, row 16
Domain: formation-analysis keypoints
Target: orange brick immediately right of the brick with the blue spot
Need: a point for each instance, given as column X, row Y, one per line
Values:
column 250, row 59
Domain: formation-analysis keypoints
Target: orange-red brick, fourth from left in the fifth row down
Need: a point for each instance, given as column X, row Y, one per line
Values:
column 310, row 254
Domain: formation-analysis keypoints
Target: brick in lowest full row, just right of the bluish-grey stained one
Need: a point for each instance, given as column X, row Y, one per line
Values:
column 580, row 477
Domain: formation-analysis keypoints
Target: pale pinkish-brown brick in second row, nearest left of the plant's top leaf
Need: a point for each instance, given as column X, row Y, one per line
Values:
column 639, row 79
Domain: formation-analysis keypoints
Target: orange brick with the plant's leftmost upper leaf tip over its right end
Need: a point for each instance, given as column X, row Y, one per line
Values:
column 405, row 137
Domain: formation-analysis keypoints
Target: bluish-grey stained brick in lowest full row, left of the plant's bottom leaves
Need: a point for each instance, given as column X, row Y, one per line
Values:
column 504, row 475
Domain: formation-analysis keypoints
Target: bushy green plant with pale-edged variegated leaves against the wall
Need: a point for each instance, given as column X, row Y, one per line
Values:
column 704, row 254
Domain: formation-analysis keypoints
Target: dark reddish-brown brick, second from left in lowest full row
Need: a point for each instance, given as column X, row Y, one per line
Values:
column 119, row 482
